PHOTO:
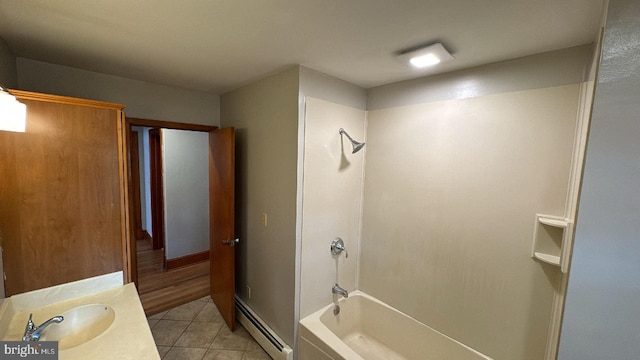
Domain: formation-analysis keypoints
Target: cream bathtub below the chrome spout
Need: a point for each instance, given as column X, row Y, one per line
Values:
column 366, row 328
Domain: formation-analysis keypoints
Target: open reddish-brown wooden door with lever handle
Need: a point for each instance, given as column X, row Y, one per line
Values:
column 221, row 213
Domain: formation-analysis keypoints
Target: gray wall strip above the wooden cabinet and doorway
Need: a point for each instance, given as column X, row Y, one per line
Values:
column 142, row 99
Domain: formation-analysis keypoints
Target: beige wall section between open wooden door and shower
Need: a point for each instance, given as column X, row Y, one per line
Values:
column 265, row 115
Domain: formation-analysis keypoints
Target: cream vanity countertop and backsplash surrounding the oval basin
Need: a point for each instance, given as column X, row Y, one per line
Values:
column 128, row 337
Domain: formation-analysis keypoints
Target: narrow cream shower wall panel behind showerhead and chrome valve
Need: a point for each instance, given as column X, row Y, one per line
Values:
column 332, row 200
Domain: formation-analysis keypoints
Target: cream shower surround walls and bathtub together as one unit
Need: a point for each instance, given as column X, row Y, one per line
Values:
column 439, row 212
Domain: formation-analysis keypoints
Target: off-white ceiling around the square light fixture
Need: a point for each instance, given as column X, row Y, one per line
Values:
column 219, row 45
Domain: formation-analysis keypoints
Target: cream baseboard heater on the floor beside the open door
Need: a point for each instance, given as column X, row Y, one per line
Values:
column 270, row 342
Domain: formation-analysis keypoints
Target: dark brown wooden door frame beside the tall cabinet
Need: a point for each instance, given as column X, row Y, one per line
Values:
column 130, row 251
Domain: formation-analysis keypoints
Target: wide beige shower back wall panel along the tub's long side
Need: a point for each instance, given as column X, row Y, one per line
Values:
column 450, row 195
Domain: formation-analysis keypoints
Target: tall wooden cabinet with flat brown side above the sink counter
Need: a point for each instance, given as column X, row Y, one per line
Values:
column 62, row 199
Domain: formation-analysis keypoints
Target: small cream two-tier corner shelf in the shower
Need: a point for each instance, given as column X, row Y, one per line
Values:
column 552, row 237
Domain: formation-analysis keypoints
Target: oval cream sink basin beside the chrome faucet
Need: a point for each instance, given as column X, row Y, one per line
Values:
column 80, row 325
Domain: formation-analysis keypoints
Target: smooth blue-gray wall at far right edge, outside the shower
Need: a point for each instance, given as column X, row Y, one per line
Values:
column 602, row 313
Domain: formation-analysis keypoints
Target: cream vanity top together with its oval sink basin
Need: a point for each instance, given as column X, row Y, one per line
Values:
column 100, row 324
